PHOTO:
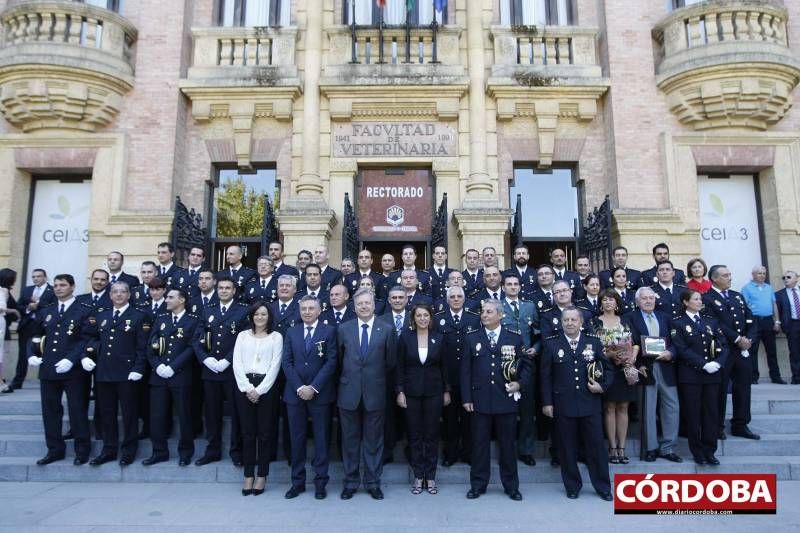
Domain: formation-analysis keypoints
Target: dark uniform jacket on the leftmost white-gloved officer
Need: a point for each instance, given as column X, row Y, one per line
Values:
column 57, row 337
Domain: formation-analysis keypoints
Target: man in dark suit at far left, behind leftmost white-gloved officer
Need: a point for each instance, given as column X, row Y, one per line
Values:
column 32, row 298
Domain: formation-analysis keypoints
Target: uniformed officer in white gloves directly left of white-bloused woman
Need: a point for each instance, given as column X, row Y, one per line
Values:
column 219, row 326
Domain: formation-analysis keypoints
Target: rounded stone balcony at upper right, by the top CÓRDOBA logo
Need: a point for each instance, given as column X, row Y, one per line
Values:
column 727, row 63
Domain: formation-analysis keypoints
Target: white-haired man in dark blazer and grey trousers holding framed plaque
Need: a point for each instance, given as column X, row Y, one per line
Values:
column 661, row 389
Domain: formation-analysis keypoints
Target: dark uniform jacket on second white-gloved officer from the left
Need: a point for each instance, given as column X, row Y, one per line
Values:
column 118, row 347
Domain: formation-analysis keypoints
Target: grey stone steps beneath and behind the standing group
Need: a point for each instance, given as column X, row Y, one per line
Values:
column 775, row 408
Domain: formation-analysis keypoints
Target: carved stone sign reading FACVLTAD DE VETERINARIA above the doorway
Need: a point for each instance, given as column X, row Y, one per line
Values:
column 394, row 139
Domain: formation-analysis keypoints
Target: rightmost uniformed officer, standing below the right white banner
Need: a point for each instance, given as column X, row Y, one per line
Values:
column 728, row 308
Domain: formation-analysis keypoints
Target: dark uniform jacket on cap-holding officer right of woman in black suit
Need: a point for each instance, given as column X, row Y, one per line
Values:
column 482, row 380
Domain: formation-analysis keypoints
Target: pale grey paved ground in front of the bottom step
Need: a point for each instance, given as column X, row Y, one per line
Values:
column 153, row 507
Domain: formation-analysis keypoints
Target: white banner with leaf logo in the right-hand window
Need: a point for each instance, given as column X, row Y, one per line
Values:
column 729, row 225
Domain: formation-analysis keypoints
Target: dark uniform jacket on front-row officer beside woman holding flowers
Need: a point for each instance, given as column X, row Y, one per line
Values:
column 565, row 379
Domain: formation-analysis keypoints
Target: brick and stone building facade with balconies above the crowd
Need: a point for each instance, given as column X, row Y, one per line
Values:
column 679, row 111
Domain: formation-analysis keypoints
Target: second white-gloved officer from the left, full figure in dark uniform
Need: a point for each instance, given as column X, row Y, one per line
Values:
column 118, row 353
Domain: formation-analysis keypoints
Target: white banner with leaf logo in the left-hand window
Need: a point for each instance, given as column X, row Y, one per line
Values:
column 59, row 241
